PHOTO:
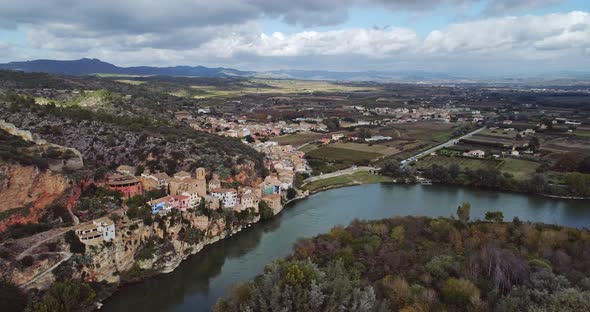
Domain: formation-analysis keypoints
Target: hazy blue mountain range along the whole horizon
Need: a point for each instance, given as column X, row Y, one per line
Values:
column 88, row 66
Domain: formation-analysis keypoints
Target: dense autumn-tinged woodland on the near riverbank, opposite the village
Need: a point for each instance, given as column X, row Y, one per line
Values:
column 422, row 264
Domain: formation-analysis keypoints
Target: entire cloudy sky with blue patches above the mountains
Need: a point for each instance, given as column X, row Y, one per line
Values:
column 455, row 36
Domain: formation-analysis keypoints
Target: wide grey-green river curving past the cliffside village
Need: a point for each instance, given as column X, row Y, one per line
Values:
column 199, row 281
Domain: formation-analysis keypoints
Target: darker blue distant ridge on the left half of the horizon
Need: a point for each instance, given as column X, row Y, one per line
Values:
column 87, row 66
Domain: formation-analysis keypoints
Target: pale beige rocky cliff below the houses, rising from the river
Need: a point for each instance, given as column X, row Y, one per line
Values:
column 171, row 243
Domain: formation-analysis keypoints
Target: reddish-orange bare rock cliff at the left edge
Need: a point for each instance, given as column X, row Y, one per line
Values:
column 27, row 186
